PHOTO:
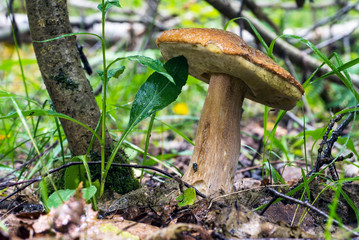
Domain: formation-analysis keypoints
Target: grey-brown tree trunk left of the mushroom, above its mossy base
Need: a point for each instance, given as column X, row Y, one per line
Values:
column 61, row 70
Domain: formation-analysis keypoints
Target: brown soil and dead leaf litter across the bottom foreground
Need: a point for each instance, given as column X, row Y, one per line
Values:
column 153, row 213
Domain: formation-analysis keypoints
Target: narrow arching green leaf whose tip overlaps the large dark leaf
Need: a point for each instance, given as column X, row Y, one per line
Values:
column 148, row 62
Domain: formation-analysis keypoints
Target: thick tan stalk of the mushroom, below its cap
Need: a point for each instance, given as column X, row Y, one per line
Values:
column 218, row 142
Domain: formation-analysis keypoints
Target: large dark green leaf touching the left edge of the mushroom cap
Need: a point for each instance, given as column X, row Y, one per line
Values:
column 158, row 92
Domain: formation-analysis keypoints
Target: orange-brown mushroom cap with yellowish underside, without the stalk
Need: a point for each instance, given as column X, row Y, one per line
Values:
column 211, row 51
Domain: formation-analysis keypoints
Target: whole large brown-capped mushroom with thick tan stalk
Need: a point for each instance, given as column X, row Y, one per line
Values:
column 234, row 71
